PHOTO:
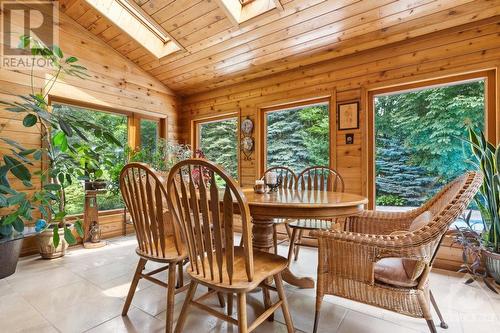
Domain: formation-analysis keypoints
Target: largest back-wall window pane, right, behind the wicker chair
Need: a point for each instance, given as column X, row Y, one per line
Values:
column 417, row 151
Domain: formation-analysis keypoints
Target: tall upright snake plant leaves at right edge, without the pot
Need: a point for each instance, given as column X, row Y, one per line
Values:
column 488, row 197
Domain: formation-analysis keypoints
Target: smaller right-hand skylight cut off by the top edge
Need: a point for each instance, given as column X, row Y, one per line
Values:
column 240, row 11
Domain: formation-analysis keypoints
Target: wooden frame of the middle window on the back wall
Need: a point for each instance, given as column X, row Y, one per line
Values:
column 291, row 105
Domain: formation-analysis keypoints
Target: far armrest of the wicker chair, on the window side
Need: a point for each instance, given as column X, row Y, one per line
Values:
column 380, row 222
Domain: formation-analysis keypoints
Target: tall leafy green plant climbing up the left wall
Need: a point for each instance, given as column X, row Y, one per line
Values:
column 60, row 156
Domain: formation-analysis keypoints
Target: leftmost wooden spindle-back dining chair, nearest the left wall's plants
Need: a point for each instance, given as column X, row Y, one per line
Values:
column 158, row 239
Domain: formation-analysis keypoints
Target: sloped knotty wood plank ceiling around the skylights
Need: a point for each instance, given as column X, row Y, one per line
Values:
column 218, row 52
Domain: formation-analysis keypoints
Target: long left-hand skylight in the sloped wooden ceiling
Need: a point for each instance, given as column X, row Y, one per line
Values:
column 132, row 20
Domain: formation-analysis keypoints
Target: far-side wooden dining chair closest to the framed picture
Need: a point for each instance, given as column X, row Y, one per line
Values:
column 320, row 178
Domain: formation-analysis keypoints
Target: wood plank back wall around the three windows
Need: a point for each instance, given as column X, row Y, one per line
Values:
column 462, row 49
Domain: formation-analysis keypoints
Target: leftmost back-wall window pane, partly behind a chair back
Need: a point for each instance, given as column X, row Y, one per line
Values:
column 218, row 141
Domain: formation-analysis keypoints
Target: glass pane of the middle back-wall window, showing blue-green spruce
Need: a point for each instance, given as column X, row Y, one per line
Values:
column 298, row 138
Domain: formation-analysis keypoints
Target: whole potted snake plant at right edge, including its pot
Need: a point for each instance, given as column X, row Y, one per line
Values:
column 486, row 243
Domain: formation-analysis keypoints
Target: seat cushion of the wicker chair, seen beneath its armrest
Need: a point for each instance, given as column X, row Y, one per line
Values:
column 392, row 271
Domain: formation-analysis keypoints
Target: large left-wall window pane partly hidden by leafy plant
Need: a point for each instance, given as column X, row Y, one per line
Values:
column 75, row 192
